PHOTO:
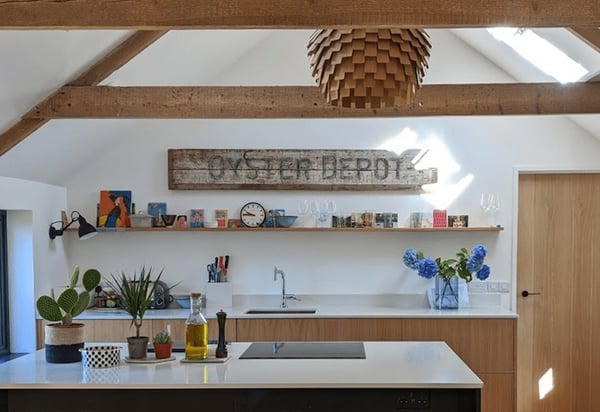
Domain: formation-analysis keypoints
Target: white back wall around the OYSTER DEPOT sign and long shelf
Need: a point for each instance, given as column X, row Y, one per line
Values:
column 485, row 148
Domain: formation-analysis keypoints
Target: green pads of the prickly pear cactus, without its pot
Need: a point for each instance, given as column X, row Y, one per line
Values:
column 69, row 303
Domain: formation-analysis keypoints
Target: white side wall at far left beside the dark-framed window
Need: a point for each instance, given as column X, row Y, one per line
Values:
column 34, row 262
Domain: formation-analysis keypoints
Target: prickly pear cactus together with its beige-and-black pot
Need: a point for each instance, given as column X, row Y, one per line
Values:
column 63, row 339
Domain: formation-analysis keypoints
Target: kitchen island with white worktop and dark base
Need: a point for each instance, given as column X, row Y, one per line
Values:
column 393, row 376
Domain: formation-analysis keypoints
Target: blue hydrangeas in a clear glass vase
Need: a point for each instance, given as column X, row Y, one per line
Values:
column 447, row 272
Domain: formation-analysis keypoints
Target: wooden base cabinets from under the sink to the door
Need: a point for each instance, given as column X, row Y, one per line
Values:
column 486, row 345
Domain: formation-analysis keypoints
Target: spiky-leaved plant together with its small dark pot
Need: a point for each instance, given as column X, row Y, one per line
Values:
column 135, row 296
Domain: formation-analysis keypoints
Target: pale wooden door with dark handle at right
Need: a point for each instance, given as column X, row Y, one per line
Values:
column 558, row 257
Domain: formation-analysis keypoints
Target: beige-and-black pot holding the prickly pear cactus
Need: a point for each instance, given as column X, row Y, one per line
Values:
column 62, row 343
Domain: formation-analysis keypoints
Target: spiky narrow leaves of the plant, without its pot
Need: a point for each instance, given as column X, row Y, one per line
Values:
column 135, row 294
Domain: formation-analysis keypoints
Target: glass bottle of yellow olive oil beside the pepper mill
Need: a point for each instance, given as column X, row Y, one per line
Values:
column 196, row 331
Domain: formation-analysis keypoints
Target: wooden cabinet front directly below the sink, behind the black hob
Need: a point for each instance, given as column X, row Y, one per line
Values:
column 256, row 330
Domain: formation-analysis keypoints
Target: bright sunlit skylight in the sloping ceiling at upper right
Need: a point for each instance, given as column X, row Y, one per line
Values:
column 541, row 53
